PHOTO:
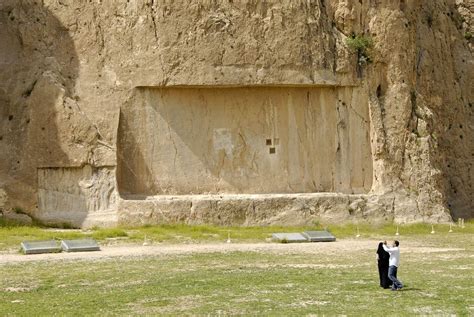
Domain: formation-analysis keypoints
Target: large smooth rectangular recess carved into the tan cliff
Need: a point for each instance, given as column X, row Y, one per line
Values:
column 185, row 141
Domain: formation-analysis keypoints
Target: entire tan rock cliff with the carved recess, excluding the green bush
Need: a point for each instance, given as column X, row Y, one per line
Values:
column 236, row 112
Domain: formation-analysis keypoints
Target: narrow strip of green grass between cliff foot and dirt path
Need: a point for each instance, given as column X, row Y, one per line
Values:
column 12, row 234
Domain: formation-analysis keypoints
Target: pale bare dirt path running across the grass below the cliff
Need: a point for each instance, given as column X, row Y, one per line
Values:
column 348, row 245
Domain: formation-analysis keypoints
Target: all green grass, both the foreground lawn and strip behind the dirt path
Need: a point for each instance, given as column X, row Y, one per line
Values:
column 438, row 278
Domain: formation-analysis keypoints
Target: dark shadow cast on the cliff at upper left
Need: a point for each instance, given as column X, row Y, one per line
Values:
column 38, row 67
